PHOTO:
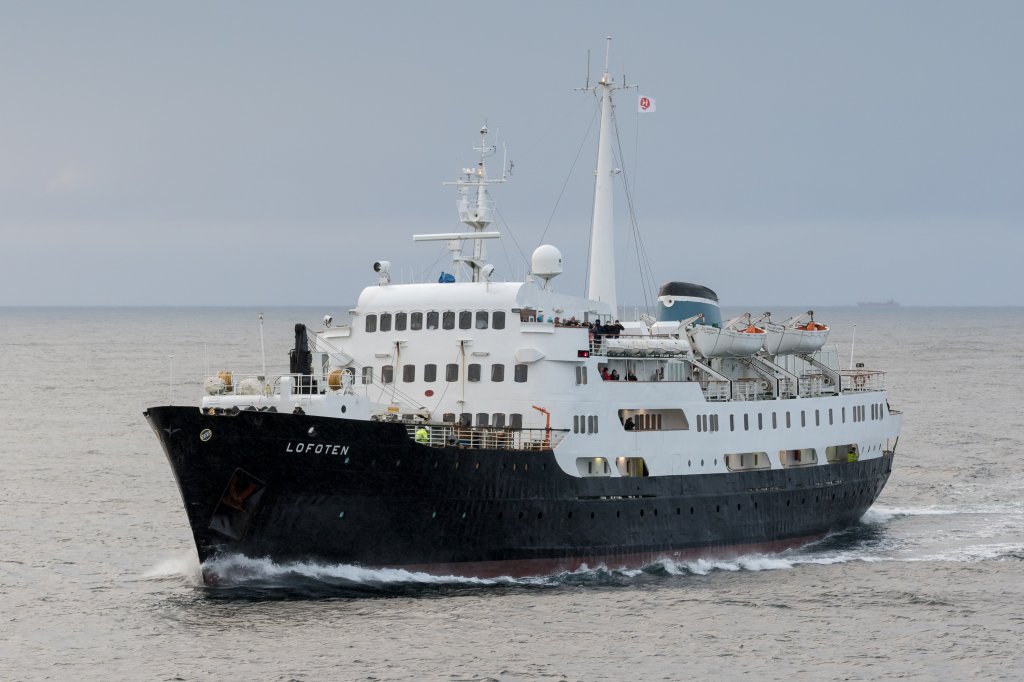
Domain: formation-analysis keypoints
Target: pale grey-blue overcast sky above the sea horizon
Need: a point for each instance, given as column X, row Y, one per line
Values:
column 242, row 153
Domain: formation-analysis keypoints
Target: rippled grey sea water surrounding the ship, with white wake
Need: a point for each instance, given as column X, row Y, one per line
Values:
column 100, row 580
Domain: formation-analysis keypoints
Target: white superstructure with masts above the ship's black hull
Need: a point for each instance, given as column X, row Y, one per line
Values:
column 484, row 362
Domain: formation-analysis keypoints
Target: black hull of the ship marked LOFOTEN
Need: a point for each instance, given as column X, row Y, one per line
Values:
column 364, row 493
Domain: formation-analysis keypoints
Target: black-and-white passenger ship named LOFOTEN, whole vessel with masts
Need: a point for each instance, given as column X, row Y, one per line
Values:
column 479, row 428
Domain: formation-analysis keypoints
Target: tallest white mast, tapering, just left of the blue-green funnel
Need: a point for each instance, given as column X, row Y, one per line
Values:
column 603, row 236
